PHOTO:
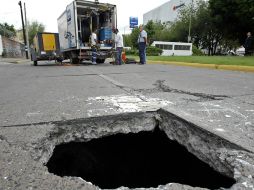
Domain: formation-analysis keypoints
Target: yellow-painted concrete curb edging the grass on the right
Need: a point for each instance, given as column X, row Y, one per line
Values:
column 209, row 66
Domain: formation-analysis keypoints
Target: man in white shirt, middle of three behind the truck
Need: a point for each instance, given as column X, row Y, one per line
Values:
column 119, row 46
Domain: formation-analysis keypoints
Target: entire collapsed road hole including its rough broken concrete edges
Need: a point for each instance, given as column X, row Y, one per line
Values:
column 142, row 150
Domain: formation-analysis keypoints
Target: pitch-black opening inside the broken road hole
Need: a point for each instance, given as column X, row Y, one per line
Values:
column 145, row 159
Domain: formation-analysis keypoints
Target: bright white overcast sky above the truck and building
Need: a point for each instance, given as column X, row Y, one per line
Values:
column 47, row 11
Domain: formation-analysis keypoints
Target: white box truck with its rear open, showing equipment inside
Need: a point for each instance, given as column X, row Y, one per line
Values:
column 76, row 24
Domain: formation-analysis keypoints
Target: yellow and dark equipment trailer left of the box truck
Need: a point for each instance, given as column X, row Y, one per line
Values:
column 45, row 47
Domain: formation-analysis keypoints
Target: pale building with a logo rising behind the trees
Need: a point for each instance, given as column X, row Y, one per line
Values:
column 166, row 12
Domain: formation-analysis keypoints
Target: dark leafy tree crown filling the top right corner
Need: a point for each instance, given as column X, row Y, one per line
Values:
column 234, row 18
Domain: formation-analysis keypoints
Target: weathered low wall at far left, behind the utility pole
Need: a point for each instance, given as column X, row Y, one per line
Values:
column 13, row 48
